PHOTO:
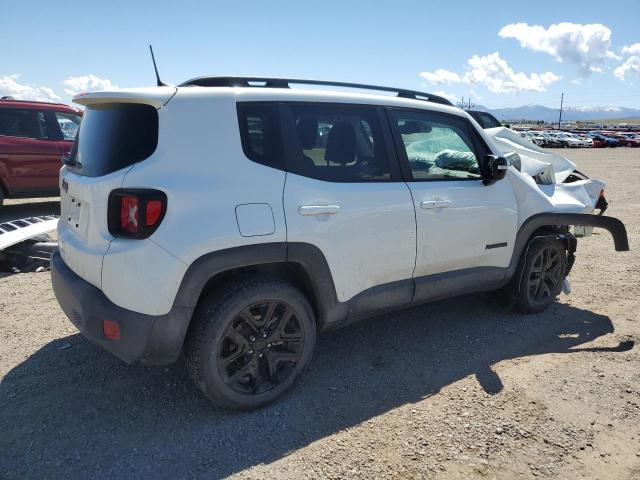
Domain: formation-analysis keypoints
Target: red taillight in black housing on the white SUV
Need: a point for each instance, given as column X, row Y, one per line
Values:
column 135, row 213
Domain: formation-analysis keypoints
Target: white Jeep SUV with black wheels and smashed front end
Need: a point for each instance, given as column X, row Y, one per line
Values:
column 233, row 218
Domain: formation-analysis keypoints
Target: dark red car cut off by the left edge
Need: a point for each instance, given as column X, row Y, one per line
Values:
column 33, row 136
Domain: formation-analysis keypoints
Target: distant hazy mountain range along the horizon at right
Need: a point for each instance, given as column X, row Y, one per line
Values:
column 540, row 112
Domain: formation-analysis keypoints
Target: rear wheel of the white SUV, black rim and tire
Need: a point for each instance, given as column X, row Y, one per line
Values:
column 250, row 341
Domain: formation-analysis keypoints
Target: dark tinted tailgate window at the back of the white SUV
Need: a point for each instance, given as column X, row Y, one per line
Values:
column 113, row 136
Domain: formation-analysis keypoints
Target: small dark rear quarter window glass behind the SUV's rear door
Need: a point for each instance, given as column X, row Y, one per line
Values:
column 260, row 133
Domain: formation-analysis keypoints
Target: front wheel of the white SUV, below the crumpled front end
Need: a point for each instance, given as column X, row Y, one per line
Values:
column 541, row 276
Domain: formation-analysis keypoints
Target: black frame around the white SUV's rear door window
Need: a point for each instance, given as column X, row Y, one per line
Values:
column 292, row 146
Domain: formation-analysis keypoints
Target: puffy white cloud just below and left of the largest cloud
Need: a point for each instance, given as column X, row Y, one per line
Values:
column 497, row 76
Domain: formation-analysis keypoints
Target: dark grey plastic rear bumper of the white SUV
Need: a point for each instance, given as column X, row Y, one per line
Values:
column 152, row 340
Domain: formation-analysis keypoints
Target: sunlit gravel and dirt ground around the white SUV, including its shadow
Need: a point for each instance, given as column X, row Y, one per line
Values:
column 455, row 389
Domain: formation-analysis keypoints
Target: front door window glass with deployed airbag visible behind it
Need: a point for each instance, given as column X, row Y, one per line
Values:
column 438, row 147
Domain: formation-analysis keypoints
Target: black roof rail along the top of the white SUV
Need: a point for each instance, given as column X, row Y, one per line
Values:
column 266, row 82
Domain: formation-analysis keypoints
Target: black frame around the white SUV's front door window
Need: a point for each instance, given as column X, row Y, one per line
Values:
column 480, row 148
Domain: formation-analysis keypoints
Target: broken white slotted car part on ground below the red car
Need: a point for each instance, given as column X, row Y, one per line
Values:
column 25, row 245
